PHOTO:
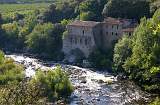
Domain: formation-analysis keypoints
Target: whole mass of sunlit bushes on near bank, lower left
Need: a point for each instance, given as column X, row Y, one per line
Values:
column 43, row 88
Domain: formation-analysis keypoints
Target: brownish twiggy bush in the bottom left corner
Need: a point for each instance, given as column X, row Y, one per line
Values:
column 24, row 93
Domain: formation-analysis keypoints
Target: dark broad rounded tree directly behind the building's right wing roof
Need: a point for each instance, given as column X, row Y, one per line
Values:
column 132, row 9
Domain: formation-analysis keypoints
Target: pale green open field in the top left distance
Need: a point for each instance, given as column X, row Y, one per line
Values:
column 6, row 9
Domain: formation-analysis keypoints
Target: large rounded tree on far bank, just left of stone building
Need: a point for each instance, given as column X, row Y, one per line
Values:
column 46, row 39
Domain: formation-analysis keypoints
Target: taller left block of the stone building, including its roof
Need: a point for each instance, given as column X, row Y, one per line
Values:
column 84, row 35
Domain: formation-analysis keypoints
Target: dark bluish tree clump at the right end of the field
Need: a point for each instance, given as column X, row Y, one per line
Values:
column 59, row 11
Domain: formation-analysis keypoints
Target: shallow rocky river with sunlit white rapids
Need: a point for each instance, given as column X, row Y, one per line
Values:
column 91, row 87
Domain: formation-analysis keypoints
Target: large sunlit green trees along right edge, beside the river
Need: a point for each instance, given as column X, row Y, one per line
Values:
column 139, row 56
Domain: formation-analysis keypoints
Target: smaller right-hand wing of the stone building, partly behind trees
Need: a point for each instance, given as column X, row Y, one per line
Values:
column 114, row 28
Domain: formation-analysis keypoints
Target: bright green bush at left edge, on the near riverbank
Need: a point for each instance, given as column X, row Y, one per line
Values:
column 9, row 71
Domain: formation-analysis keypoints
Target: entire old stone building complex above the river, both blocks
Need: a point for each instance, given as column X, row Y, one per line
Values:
column 88, row 35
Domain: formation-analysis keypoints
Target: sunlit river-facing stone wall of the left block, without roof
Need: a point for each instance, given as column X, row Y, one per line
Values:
column 81, row 38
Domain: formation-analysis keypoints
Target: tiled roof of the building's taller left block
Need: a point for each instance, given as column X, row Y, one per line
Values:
column 84, row 23
